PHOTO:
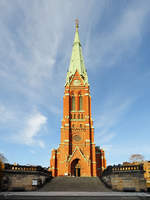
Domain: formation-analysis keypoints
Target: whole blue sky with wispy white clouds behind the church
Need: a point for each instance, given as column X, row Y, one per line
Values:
column 36, row 40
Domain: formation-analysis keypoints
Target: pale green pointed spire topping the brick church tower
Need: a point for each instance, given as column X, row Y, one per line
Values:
column 77, row 61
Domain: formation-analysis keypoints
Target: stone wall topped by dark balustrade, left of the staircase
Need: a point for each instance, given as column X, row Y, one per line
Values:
column 19, row 178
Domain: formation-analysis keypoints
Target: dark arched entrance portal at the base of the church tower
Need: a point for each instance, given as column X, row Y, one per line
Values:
column 75, row 168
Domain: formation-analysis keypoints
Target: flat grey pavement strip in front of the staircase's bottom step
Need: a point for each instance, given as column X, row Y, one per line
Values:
column 74, row 196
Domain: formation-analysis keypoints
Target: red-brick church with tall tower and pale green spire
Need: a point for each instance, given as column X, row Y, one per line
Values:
column 77, row 154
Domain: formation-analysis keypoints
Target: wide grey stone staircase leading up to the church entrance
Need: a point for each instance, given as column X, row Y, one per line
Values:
column 90, row 184
